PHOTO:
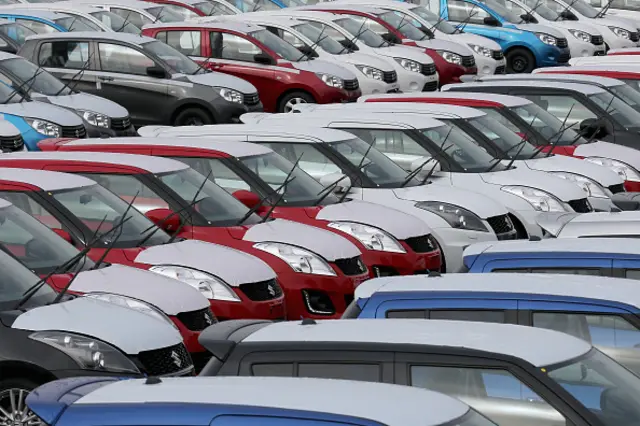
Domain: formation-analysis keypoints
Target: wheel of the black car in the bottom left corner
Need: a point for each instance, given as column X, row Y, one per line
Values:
column 13, row 410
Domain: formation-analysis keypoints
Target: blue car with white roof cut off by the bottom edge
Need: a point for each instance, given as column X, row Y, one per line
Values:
column 231, row 399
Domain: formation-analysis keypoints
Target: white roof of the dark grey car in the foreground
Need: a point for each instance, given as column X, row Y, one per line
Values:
column 540, row 347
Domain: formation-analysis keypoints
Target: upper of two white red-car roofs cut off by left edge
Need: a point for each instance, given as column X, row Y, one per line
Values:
column 144, row 162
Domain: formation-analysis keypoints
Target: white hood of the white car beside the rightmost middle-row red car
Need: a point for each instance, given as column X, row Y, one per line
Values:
column 559, row 163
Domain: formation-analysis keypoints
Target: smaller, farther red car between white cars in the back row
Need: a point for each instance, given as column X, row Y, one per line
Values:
column 452, row 60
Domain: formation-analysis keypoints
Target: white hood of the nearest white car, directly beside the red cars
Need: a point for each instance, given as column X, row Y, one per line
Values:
column 481, row 205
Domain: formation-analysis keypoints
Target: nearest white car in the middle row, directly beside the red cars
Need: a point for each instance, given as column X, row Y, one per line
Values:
column 457, row 217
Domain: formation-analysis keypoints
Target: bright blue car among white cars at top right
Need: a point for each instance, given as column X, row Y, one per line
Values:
column 526, row 46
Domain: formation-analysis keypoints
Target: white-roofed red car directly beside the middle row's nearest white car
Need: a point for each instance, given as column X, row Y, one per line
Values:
column 391, row 242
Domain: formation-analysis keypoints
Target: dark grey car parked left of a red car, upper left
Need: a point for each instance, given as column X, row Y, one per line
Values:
column 184, row 92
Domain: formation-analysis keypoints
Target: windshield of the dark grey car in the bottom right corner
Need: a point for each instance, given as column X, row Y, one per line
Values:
column 602, row 385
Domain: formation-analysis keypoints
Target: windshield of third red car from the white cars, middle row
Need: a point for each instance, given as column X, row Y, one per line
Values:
column 100, row 211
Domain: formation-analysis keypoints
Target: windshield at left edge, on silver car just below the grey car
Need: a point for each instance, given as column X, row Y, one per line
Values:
column 43, row 82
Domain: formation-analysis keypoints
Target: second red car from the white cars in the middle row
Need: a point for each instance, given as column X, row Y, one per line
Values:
column 318, row 270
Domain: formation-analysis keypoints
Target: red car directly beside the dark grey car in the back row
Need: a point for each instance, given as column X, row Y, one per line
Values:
column 282, row 74
